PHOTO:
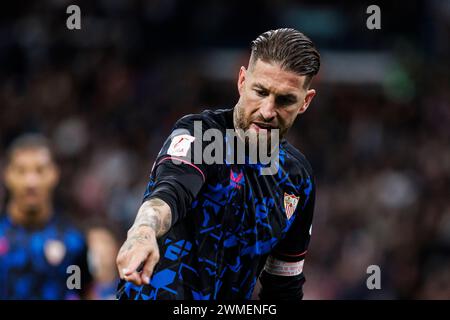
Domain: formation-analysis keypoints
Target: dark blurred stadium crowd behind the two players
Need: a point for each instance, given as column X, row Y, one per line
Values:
column 377, row 134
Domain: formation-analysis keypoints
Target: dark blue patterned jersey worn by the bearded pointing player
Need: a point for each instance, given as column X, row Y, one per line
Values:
column 227, row 218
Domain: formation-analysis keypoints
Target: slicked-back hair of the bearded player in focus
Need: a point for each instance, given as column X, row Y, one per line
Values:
column 290, row 48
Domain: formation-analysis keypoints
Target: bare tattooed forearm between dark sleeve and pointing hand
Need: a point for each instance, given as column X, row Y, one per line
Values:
column 156, row 215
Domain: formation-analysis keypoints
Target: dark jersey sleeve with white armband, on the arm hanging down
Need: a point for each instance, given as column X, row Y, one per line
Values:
column 282, row 277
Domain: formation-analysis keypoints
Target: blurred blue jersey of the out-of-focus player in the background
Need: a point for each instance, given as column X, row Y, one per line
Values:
column 33, row 263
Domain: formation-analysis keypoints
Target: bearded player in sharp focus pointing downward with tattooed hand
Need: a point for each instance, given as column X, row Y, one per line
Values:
column 210, row 230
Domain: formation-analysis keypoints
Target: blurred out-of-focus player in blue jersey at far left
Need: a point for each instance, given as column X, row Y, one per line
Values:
column 37, row 245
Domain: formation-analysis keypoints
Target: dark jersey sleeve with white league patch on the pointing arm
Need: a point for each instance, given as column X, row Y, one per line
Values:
column 179, row 173
